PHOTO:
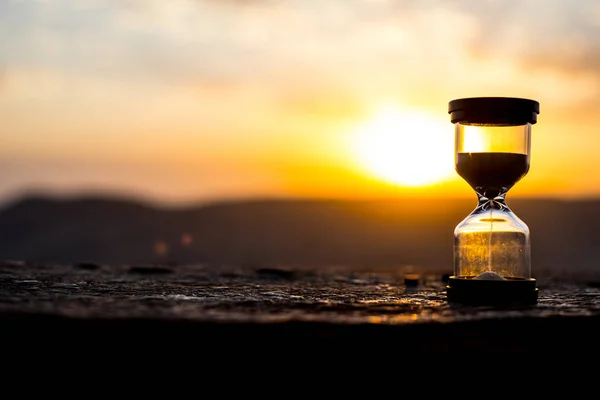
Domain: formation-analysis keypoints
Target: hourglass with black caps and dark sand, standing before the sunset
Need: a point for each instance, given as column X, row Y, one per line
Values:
column 492, row 263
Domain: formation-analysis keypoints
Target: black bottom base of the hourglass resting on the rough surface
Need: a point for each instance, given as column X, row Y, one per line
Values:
column 511, row 291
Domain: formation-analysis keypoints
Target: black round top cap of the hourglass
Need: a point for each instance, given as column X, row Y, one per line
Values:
column 494, row 110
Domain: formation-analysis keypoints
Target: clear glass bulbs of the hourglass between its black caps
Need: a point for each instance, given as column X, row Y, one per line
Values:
column 492, row 243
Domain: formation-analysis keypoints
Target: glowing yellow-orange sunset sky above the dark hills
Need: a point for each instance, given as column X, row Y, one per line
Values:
column 188, row 100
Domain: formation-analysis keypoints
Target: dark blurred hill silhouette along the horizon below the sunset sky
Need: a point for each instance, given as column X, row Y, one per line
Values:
column 361, row 234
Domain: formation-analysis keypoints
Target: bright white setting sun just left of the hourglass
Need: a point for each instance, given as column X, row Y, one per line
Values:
column 406, row 148
